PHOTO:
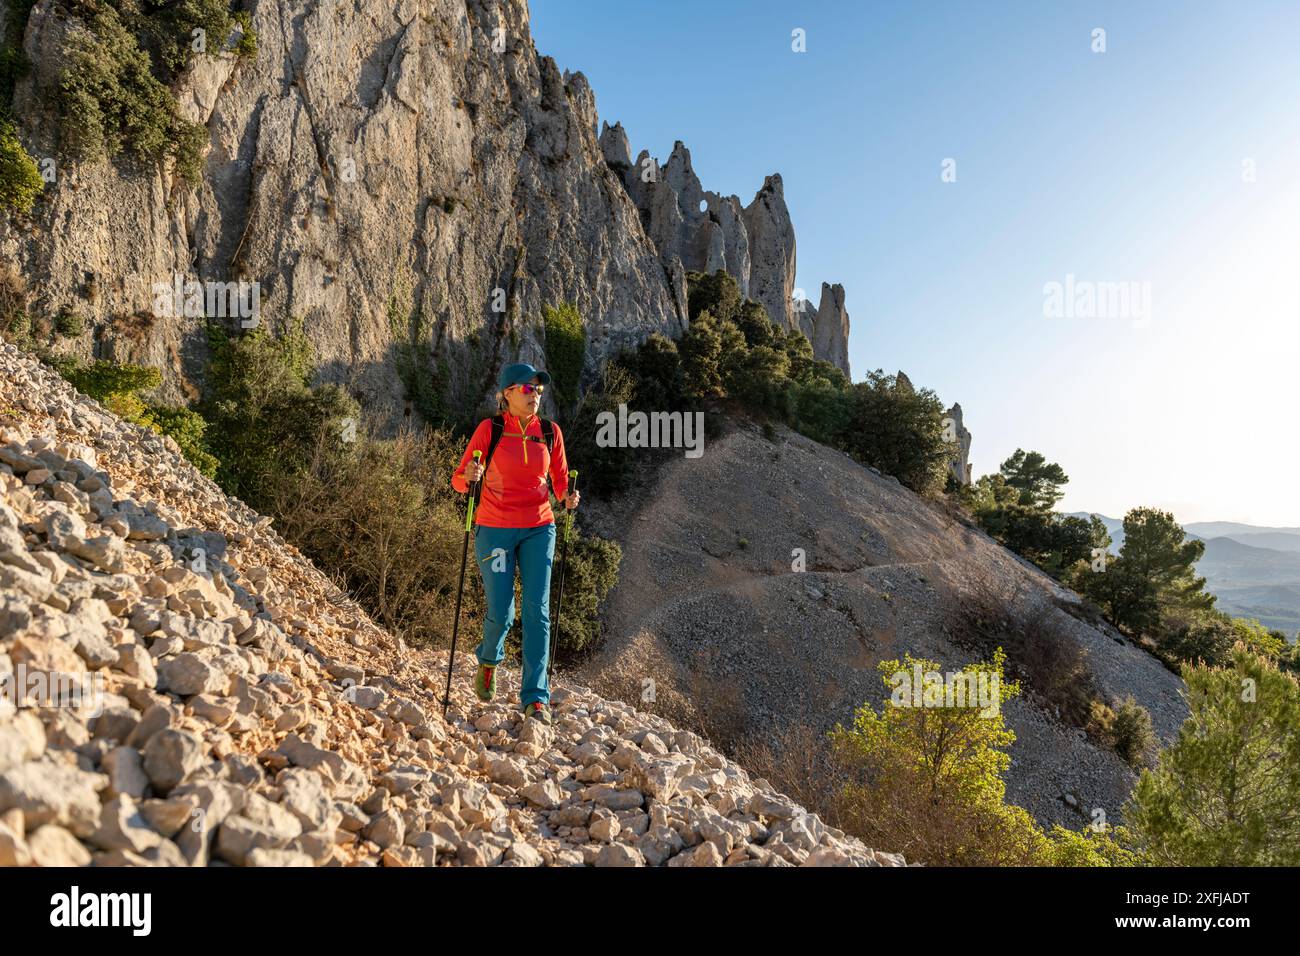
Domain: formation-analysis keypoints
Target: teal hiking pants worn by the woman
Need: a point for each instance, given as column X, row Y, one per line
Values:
column 500, row 552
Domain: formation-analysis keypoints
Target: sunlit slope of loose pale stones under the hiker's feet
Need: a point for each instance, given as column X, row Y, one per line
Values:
column 181, row 687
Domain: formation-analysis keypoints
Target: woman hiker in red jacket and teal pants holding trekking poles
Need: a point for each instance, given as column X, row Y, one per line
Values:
column 517, row 527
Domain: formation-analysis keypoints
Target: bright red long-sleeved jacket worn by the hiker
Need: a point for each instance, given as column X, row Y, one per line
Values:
column 515, row 494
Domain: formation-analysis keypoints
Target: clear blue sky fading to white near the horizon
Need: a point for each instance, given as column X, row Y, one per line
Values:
column 1125, row 166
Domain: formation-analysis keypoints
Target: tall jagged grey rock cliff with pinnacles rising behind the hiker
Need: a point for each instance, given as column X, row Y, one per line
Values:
column 408, row 179
